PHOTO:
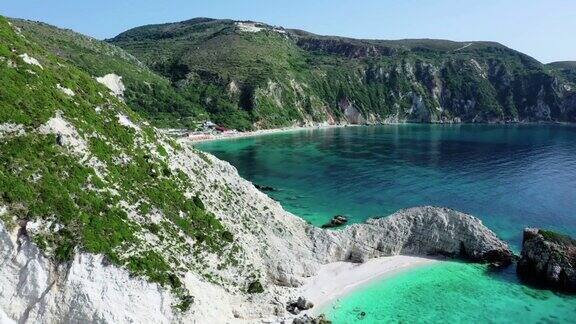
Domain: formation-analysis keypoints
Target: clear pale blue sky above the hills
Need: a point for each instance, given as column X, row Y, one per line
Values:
column 543, row 29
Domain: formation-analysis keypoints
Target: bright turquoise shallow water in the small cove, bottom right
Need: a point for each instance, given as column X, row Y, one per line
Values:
column 453, row 293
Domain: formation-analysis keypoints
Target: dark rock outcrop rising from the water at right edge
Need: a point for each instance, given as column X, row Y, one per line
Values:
column 548, row 258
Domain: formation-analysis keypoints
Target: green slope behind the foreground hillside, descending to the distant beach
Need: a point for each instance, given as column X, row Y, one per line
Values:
column 151, row 95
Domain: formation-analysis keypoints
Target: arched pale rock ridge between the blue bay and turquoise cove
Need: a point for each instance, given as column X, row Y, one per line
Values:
column 425, row 231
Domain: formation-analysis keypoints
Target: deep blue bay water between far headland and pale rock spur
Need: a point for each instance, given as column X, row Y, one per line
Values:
column 509, row 176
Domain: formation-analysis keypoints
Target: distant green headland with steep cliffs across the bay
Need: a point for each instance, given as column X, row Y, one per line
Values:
column 251, row 74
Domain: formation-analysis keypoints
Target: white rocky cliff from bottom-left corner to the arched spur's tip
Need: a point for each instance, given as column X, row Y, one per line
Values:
column 35, row 289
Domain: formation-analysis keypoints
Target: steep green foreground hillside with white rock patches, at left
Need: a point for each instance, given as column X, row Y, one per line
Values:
column 79, row 171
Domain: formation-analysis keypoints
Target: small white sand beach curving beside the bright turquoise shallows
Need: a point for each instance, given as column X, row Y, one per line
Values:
column 335, row 280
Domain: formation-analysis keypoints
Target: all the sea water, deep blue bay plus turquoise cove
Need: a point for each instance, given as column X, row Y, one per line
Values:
column 509, row 176
